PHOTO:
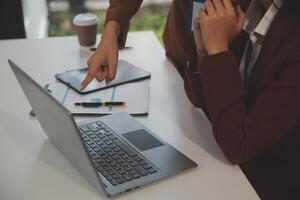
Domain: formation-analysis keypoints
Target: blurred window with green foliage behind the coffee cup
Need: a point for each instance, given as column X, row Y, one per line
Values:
column 151, row 16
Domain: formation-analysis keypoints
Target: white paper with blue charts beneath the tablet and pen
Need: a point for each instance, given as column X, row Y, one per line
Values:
column 135, row 95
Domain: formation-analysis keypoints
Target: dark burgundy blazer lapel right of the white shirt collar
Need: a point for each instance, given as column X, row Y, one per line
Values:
column 276, row 35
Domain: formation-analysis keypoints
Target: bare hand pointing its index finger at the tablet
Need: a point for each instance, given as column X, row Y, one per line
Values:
column 103, row 63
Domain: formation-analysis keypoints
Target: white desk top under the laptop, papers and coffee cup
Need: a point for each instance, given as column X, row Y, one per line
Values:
column 32, row 168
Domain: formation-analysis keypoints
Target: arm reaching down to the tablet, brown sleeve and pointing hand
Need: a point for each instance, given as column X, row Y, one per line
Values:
column 103, row 63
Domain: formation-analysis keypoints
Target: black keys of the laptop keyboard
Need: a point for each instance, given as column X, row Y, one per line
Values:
column 114, row 159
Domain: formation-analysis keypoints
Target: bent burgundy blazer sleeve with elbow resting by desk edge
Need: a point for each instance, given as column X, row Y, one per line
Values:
column 244, row 132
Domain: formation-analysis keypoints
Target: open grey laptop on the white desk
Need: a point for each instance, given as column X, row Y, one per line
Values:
column 115, row 153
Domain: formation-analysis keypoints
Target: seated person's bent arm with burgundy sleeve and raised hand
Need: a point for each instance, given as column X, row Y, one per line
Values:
column 243, row 131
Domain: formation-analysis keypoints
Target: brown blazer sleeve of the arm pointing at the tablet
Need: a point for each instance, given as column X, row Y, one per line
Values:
column 122, row 11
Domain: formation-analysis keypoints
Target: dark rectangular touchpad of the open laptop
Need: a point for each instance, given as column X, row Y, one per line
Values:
column 142, row 140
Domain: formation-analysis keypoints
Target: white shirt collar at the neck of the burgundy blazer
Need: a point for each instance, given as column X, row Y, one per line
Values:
column 255, row 23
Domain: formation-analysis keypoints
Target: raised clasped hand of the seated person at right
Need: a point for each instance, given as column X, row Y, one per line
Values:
column 220, row 22
